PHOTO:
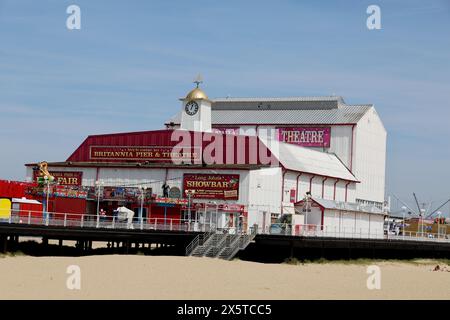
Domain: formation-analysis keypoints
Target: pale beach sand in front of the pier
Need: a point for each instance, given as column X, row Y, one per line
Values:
column 165, row 277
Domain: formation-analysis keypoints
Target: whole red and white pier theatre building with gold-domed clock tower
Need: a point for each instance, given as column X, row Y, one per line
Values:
column 317, row 145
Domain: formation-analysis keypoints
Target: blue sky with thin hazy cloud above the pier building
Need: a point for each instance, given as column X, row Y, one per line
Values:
column 131, row 61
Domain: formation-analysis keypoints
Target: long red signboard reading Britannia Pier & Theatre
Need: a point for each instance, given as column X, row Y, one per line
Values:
column 151, row 153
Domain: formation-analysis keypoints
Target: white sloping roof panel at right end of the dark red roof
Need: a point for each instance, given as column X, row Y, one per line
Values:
column 306, row 160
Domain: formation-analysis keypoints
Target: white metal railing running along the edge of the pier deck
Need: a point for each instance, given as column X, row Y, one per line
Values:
column 113, row 222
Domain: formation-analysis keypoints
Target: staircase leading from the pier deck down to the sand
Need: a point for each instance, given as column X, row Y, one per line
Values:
column 220, row 245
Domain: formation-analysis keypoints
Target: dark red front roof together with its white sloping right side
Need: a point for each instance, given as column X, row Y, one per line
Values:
column 161, row 148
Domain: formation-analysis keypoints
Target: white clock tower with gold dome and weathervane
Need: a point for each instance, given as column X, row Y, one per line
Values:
column 196, row 111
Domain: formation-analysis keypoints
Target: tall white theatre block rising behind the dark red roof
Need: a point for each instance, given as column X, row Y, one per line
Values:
column 354, row 133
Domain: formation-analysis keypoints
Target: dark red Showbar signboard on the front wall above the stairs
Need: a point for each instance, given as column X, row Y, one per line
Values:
column 212, row 186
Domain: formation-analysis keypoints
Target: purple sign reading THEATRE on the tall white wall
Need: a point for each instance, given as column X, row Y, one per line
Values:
column 305, row 136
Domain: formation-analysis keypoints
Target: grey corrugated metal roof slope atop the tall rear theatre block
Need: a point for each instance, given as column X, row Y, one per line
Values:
column 348, row 114
